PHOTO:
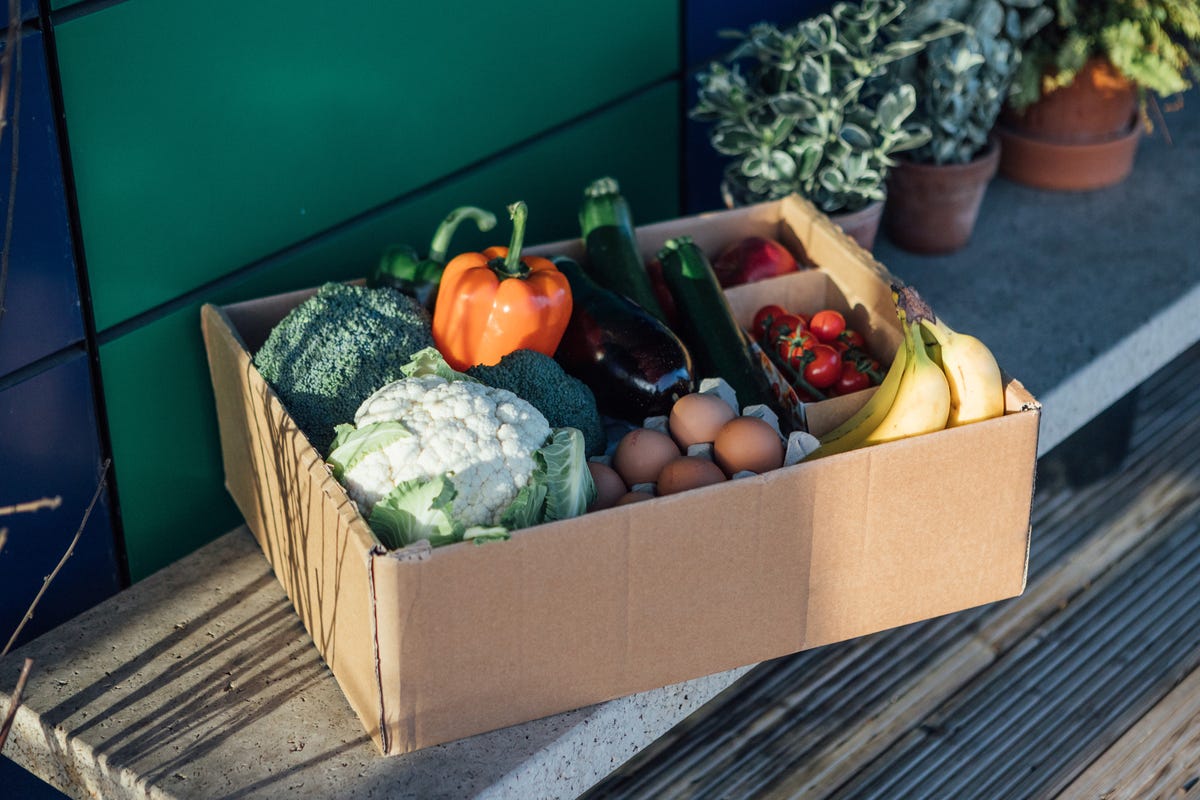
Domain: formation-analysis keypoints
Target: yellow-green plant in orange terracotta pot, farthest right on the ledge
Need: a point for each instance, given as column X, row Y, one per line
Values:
column 1085, row 82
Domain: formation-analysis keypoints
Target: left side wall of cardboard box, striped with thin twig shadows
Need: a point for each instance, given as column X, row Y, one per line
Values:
column 308, row 527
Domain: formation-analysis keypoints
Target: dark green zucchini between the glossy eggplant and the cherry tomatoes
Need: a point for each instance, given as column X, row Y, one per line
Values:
column 718, row 345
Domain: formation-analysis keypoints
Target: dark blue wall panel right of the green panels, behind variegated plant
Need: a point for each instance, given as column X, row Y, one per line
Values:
column 704, row 21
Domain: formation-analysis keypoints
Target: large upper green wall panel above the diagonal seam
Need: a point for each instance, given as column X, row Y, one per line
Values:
column 207, row 135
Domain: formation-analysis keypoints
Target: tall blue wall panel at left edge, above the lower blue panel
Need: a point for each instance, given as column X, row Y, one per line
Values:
column 41, row 304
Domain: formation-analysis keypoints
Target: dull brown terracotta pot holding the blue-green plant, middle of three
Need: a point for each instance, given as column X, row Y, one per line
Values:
column 933, row 208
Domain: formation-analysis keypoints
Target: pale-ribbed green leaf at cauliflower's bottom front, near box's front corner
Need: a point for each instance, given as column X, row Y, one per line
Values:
column 416, row 510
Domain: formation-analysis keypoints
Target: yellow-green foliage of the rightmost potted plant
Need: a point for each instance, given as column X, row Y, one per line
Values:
column 1155, row 44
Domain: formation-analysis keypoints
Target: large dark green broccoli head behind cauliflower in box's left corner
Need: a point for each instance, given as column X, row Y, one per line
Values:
column 335, row 350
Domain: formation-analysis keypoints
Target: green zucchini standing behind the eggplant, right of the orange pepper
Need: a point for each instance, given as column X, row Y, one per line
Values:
column 614, row 260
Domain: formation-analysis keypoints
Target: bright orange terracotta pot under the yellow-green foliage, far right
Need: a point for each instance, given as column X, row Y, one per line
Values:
column 1077, row 139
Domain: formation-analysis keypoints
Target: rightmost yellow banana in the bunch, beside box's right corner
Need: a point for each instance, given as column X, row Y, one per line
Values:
column 977, row 389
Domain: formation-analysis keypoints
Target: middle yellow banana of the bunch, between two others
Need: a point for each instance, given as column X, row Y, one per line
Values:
column 923, row 400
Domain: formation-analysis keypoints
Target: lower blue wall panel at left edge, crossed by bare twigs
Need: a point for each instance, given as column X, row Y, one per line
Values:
column 50, row 448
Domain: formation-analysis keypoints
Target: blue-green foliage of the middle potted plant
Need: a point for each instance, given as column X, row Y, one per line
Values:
column 965, row 74
